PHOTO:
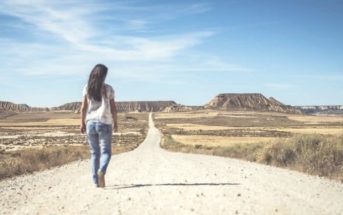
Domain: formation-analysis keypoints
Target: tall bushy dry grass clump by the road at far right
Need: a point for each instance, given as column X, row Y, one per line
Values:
column 313, row 154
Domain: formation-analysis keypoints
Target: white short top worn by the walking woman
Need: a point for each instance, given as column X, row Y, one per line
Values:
column 100, row 111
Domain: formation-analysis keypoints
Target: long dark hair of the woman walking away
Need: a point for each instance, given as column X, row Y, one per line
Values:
column 96, row 81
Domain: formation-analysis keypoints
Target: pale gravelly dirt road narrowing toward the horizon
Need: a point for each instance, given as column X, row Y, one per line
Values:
column 150, row 180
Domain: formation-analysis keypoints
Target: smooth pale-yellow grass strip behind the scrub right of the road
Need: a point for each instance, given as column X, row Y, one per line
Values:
column 214, row 141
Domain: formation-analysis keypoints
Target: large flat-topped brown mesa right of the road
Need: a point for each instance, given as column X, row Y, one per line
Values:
column 248, row 101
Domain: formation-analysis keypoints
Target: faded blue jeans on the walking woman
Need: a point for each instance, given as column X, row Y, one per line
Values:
column 100, row 140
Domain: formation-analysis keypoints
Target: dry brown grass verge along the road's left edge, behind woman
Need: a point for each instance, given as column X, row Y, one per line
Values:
column 31, row 159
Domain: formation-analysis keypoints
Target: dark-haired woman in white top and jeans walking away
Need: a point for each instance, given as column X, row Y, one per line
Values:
column 98, row 115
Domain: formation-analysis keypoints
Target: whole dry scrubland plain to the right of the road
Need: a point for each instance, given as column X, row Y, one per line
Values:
column 311, row 144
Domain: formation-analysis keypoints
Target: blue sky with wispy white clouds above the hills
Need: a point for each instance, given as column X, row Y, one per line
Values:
column 187, row 51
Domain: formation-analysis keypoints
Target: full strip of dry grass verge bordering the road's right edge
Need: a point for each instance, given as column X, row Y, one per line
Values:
column 314, row 154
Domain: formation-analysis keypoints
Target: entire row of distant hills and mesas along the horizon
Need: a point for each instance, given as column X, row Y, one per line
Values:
column 225, row 101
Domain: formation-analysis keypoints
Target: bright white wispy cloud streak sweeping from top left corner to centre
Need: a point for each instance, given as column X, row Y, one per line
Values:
column 72, row 25
